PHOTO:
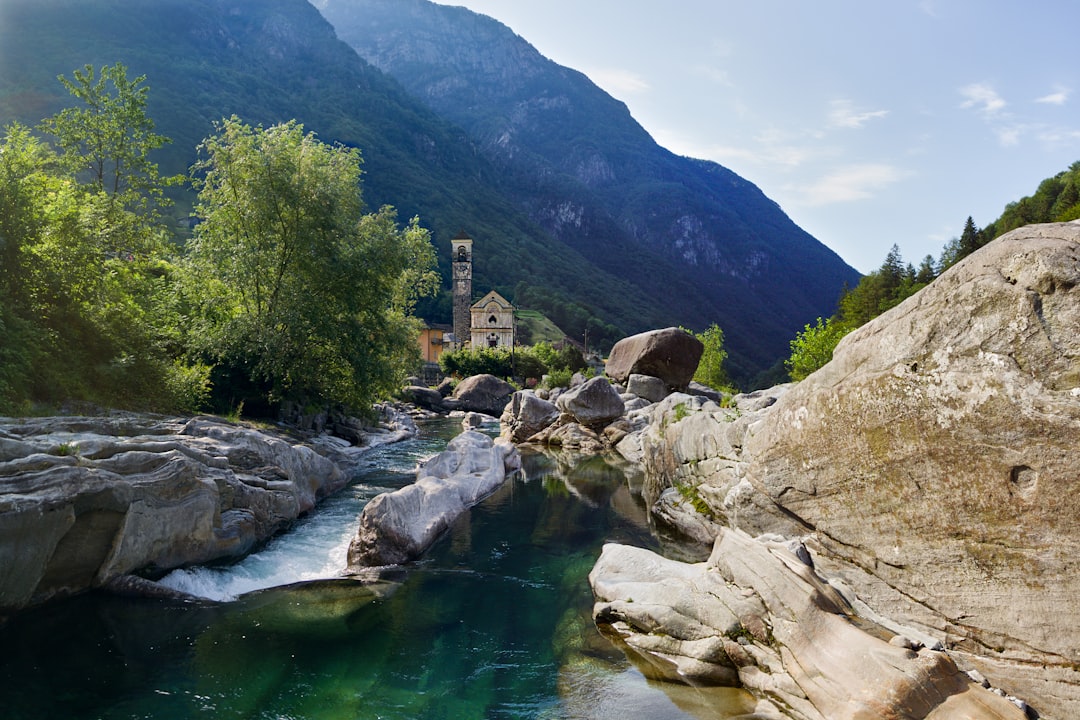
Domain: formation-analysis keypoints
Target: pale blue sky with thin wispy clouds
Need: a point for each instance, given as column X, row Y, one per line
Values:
column 872, row 124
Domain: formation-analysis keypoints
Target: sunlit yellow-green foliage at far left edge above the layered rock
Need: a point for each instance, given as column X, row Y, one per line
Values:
column 83, row 277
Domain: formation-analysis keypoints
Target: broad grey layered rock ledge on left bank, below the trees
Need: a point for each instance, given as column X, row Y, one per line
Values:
column 87, row 500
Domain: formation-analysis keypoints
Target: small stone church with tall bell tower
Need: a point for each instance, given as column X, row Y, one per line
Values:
column 489, row 323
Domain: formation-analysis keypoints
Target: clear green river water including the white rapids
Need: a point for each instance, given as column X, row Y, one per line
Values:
column 493, row 623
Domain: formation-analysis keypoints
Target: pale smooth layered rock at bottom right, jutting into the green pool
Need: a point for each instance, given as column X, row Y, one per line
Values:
column 758, row 616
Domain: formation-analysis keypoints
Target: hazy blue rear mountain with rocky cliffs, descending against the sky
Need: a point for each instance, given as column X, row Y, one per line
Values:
column 583, row 169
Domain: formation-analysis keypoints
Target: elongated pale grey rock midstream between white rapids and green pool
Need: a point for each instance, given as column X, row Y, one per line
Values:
column 398, row 527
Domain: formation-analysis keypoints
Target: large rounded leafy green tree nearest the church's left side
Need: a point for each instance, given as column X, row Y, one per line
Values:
column 291, row 283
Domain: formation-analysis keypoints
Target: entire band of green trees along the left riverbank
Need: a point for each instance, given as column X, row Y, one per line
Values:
column 286, row 290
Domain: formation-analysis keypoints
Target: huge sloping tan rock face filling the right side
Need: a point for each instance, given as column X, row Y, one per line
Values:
column 933, row 463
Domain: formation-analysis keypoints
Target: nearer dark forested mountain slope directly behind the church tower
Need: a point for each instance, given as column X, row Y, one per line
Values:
column 269, row 62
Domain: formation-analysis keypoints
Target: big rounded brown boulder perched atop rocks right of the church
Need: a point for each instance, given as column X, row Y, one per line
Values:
column 670, row 355
